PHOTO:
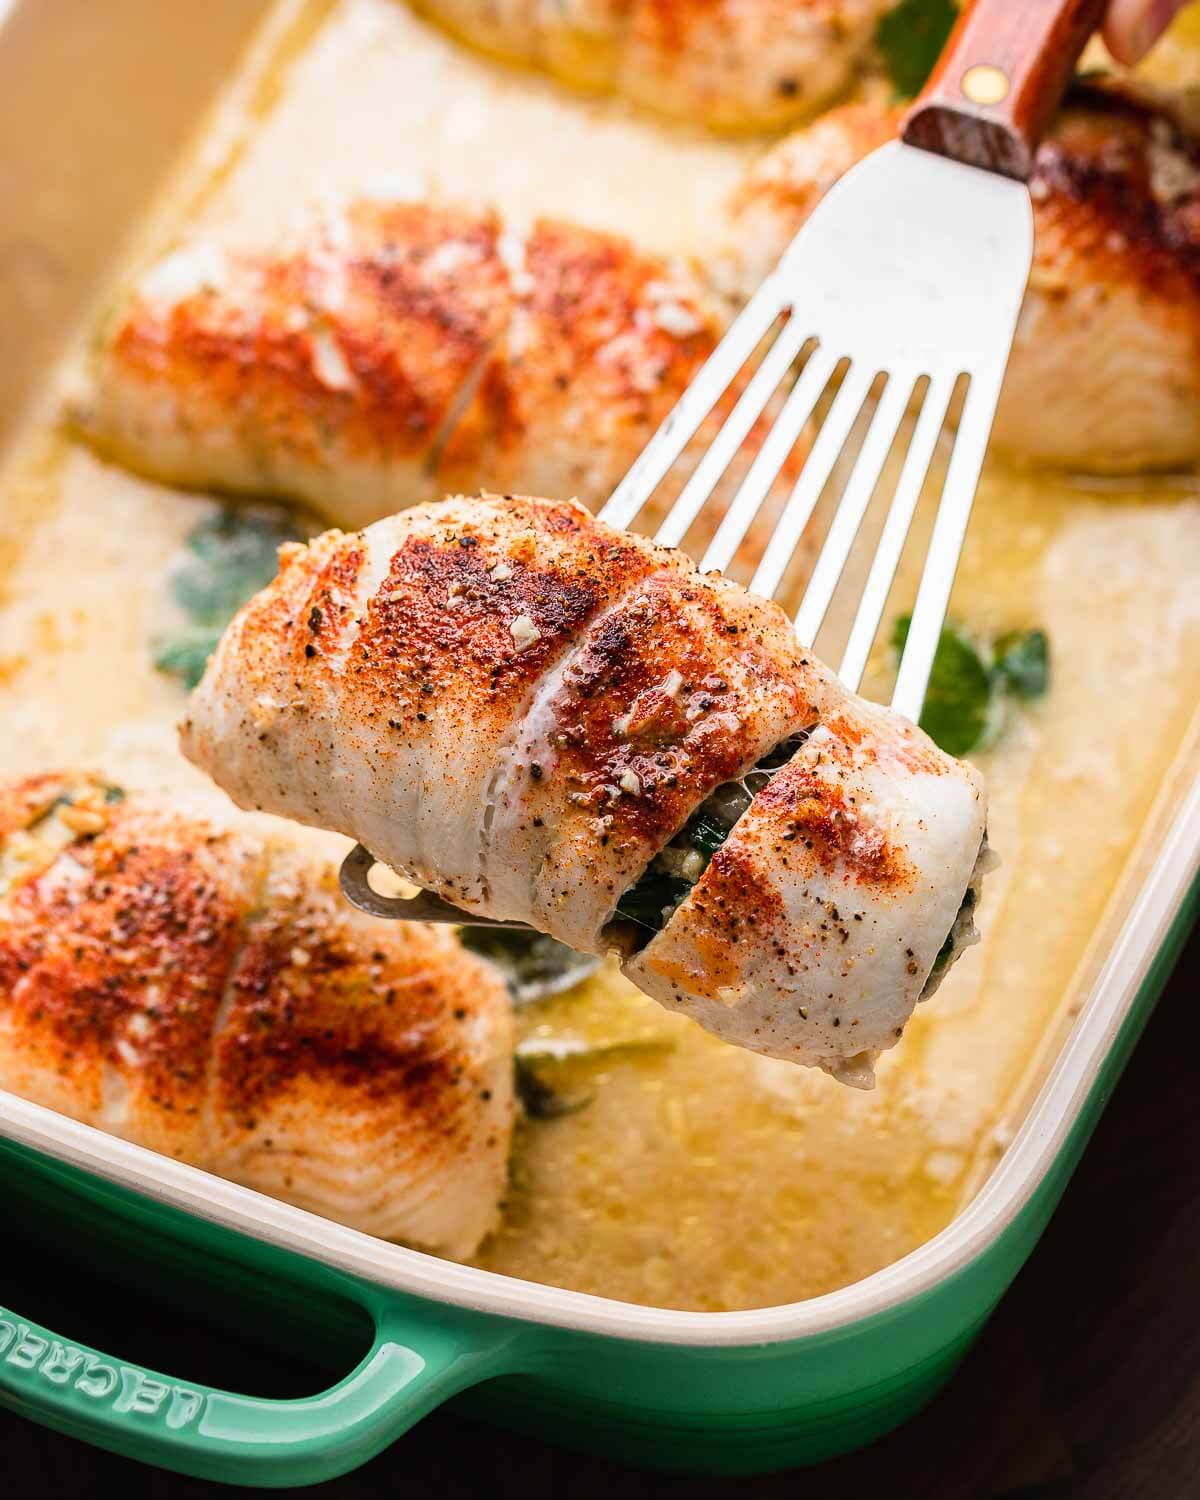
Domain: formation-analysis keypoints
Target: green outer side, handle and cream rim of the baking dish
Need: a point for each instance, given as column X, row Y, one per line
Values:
column 728, row 1393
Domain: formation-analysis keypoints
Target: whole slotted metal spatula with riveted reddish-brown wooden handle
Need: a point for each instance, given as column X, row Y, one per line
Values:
column 910, row 272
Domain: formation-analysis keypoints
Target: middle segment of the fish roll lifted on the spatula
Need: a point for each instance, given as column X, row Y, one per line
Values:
column 680, row 688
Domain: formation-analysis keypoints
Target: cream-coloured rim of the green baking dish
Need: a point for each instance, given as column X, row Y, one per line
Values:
column 1036, row 1145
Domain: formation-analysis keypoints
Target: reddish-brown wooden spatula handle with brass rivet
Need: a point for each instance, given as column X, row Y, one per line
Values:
column 1001, row 80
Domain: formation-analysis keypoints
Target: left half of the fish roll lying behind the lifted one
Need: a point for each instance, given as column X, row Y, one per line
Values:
column 326, row 370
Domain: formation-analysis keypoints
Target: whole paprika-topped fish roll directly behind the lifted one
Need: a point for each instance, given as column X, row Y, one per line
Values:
column 397, row 353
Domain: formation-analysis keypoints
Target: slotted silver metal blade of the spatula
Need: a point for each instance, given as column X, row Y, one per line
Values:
column 908, row 277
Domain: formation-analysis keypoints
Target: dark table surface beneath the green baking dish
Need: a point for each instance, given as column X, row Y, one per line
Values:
column 1085, row 1385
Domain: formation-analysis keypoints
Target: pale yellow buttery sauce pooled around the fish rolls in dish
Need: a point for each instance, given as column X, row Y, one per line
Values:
column 697, row 1177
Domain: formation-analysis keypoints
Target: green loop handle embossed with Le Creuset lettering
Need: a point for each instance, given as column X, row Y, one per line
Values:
column 415, row 1364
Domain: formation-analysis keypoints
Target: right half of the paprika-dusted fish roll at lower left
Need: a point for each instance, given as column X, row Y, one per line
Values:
column 364, row 1075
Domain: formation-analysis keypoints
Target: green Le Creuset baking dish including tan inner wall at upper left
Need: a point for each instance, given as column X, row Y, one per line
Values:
column 733, row 1393
